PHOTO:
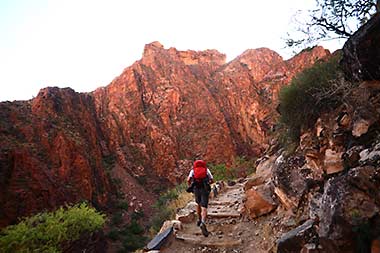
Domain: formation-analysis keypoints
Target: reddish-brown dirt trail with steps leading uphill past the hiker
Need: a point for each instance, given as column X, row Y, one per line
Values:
column 229, row 230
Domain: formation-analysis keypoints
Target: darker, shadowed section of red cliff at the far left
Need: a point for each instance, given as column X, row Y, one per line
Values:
column 50, row 153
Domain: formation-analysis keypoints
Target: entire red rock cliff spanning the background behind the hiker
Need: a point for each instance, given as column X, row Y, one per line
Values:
column 144, row 128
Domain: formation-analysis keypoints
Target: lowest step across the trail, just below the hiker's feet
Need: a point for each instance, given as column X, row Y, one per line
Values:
column 201, row 241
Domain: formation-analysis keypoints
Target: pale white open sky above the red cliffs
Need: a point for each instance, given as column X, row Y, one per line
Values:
column 85, row 44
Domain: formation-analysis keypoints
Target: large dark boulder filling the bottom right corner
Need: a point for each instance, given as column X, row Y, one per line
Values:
column 349, row 210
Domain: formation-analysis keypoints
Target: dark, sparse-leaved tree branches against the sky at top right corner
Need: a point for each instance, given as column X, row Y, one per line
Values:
column 331, row 19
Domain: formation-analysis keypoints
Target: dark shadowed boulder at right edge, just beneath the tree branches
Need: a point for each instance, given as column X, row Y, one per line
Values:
column 361, row 53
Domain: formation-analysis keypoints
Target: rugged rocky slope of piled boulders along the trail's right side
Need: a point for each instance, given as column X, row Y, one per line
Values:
column 333, row 176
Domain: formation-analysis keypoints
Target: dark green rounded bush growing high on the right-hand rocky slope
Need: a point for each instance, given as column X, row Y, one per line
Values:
column 312, row 91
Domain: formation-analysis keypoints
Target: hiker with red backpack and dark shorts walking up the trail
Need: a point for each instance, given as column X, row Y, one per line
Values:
column 199, row 180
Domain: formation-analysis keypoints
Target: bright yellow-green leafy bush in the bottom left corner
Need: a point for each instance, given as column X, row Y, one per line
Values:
column 44, row 232
